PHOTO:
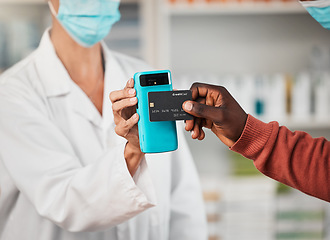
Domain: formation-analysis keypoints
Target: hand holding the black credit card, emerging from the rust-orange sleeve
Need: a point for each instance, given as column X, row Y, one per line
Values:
column 214, row 108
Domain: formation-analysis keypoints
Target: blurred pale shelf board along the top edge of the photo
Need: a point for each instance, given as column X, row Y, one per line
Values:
column 178, row 9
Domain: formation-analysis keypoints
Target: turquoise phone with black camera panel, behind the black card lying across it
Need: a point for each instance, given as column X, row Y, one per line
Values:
column 155, row 137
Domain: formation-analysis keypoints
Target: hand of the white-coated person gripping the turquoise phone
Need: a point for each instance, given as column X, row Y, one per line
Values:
column 126, row 119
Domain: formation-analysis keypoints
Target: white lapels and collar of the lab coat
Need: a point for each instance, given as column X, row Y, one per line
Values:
column 57, row 82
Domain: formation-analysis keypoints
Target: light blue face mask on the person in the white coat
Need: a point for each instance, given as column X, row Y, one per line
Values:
column 87, row 21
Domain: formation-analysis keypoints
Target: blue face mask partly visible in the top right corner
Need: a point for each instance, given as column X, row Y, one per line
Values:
column 319, row 10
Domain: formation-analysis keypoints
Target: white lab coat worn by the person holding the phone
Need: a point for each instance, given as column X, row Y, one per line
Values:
column 63, row 175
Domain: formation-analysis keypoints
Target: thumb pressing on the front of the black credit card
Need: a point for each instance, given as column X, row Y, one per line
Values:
column 203, row 111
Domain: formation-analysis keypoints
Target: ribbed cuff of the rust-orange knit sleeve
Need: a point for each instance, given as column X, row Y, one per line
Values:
column 254, row 138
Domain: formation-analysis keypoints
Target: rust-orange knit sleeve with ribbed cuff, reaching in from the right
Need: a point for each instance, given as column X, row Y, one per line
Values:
column 293, row 158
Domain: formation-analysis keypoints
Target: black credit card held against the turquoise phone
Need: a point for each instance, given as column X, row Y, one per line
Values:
column 167, row 105
